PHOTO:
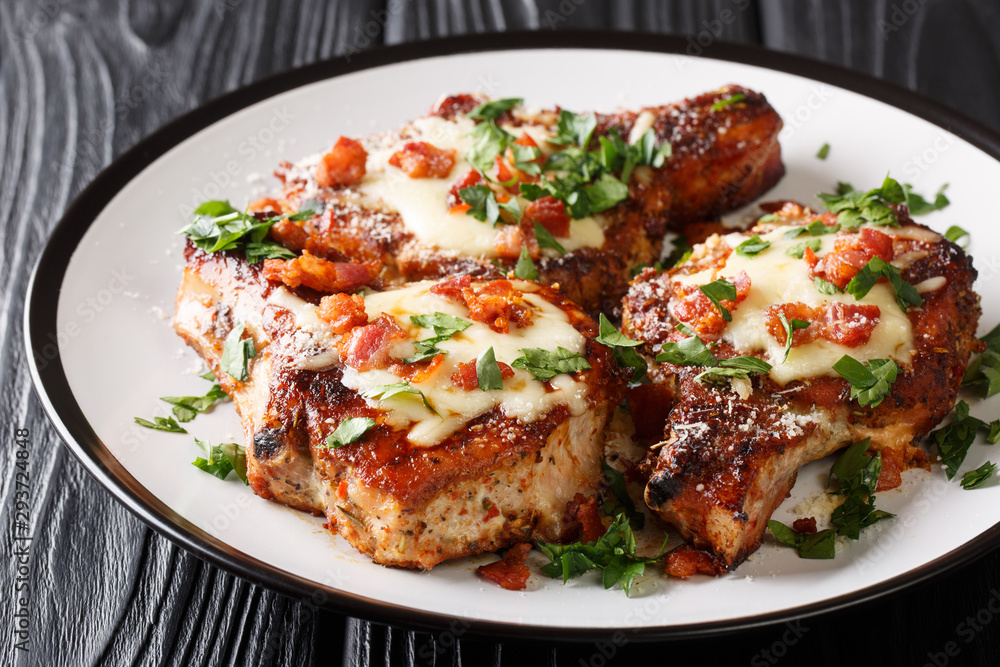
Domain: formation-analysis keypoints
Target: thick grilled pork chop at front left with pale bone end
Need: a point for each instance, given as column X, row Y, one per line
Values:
column 444, row 469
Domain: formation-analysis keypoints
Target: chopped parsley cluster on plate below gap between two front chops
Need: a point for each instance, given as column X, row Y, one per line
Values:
column 613, row 554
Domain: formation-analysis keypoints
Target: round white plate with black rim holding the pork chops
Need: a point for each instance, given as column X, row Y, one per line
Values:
column 104, row 350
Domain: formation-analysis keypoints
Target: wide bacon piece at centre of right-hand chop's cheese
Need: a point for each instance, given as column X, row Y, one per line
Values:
column 850, row 325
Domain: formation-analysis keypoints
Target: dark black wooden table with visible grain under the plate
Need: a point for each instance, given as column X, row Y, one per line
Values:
column 80, row 82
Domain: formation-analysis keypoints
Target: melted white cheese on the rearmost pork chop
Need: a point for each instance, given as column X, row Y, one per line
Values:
column 422, row 202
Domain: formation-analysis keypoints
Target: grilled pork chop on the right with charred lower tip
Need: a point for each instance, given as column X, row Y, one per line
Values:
column 731, row 449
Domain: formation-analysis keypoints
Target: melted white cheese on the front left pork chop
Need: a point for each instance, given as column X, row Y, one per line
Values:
column 522, row 397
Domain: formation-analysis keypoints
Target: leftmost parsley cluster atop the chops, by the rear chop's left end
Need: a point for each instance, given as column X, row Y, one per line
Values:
column 219, row 227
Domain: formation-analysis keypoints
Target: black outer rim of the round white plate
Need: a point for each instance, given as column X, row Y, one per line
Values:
column 54, row 391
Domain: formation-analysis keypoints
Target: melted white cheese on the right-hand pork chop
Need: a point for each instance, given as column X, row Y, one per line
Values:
column 776, row 277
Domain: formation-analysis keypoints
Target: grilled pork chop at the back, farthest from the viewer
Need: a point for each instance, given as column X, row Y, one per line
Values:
column 395, row 199
